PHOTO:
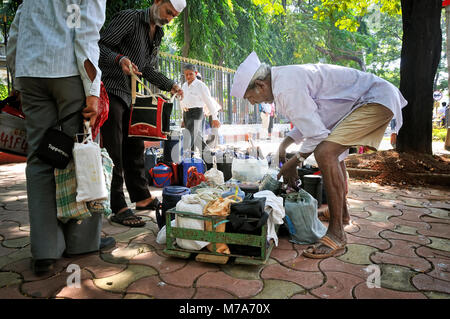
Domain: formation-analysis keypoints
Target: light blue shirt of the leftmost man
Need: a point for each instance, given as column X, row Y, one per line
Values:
column 53, row 39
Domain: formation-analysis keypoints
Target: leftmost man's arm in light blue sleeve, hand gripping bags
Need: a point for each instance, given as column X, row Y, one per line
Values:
column 87, row 35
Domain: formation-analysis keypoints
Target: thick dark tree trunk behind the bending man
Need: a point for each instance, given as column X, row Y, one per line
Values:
column 421, row 52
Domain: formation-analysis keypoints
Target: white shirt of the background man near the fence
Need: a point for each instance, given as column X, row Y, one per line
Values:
column 197, row 94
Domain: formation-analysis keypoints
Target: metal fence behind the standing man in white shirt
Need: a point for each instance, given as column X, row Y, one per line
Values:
column 219, row 81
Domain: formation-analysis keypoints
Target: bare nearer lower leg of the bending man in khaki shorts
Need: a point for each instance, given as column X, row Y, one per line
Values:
column 327, row 154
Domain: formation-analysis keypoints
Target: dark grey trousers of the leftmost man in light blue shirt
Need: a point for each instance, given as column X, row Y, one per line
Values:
column 44, row 101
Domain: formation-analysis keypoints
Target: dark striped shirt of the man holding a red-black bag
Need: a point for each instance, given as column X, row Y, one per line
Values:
column 128, row 35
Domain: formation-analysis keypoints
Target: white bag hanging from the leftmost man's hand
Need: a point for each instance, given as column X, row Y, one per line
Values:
column 91, row 183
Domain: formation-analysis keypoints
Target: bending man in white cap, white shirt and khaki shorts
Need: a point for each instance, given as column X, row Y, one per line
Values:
column 332, row 108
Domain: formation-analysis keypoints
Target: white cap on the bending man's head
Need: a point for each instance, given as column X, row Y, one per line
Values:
column 244, row 75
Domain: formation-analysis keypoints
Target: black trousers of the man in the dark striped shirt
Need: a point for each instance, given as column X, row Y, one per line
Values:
column 127, row 155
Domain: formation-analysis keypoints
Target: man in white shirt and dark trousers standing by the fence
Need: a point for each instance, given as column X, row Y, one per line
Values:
column 196, row 96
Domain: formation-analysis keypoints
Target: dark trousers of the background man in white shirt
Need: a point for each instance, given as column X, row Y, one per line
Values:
column 193, row 124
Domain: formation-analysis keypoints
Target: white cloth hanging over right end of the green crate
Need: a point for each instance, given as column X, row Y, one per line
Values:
column 274, row 207
